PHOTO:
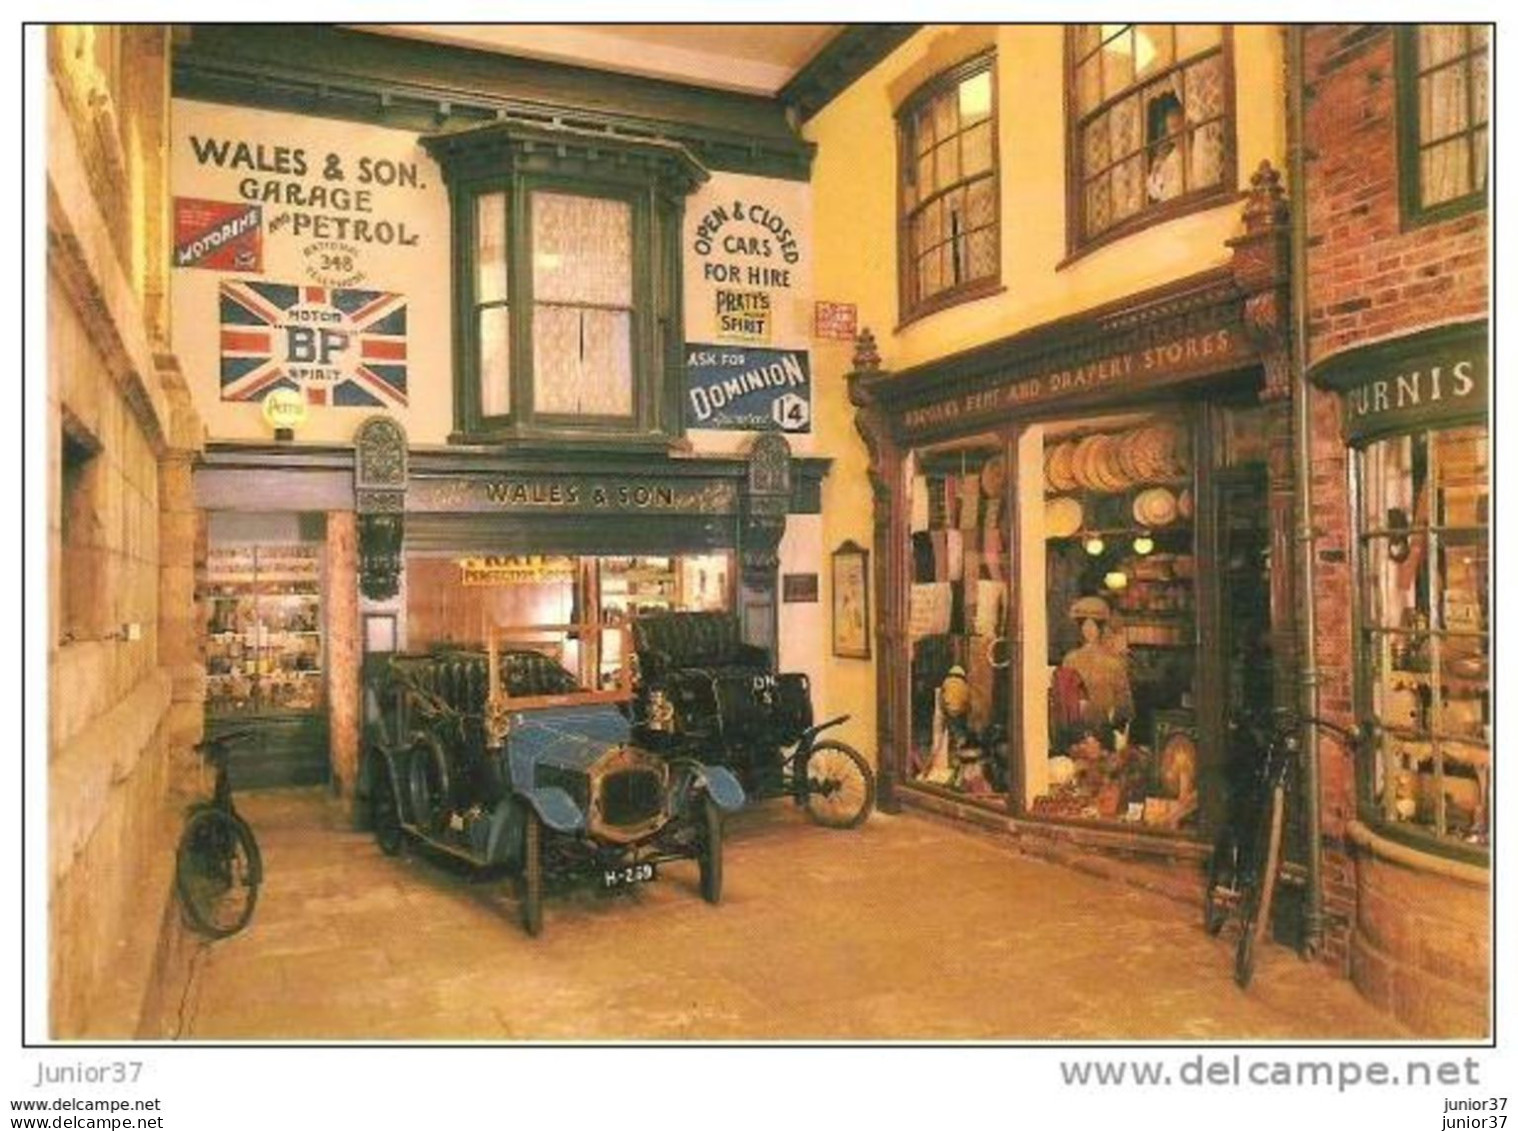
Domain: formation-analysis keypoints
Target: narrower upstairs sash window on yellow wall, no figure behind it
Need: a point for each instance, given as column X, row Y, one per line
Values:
column 950, row 233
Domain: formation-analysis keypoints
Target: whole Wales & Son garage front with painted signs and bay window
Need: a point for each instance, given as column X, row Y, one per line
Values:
column 526, row 347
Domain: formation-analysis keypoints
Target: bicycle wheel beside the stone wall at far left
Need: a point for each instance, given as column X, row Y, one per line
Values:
column 218, row 871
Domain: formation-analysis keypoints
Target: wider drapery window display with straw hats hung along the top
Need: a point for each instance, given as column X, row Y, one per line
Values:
column 1121, row 613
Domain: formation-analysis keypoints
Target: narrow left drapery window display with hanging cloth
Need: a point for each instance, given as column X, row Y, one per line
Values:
column 960, row 599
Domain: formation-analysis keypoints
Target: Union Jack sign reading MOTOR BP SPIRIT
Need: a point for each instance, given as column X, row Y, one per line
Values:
column 338, row 347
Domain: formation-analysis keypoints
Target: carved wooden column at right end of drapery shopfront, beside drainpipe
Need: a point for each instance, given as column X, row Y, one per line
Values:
column 1262, row 273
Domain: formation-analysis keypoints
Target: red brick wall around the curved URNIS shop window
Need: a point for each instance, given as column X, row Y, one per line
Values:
column 1368, row 280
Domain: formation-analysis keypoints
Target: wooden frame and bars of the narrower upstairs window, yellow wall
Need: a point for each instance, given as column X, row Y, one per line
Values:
column 975, row 289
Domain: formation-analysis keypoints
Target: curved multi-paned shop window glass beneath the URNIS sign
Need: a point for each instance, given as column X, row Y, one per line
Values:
column 1426, row 631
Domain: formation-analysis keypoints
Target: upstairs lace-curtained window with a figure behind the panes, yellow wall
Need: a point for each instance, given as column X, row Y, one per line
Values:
column 1151, row 125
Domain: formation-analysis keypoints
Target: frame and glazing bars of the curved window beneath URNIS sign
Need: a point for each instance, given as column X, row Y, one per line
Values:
column 1368, row 760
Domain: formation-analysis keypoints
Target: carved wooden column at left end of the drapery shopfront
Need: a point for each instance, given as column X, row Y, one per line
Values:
column 893, row 651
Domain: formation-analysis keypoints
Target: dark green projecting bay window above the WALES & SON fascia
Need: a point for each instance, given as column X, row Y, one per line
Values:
column 567, row 283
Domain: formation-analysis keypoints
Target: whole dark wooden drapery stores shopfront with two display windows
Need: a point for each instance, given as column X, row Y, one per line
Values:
column 1083, row 558
